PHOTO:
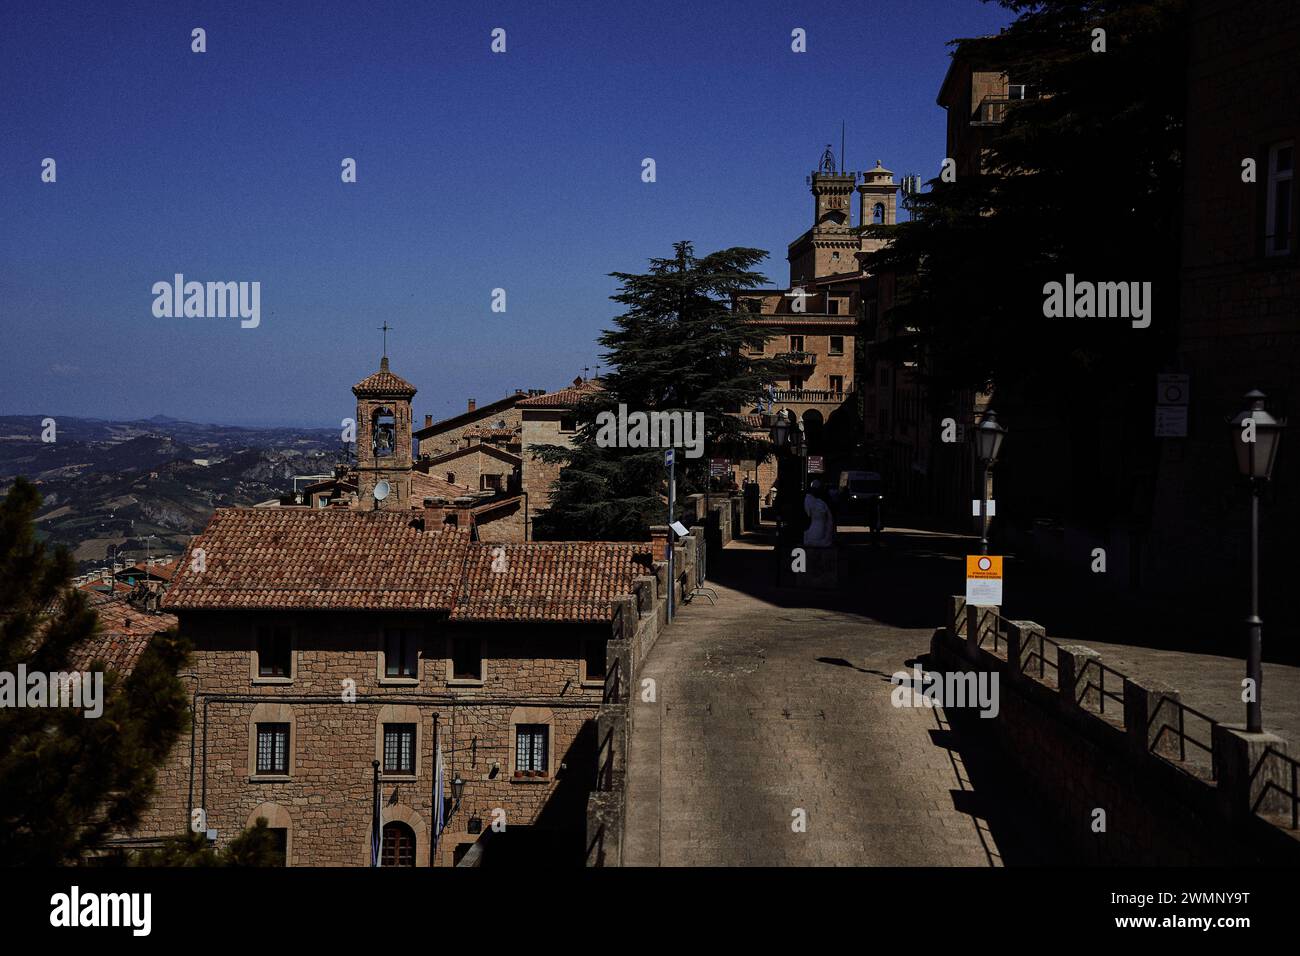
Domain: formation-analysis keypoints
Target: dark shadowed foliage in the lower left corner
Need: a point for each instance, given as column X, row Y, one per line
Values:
column 67, row 782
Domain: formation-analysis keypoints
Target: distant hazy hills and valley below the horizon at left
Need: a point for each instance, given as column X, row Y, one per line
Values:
column 115, row 483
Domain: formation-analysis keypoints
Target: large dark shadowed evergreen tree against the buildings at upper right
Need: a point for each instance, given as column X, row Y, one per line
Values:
column 1084, row 179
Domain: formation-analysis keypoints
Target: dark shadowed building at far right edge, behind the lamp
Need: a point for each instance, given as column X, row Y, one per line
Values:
column 1241, row 308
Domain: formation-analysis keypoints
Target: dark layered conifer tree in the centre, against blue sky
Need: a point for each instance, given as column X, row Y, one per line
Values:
column 677, row 347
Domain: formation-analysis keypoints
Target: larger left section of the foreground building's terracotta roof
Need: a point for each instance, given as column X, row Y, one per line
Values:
column 320, row 559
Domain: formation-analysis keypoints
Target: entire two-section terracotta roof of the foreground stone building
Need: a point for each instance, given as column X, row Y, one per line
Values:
column 376, row 561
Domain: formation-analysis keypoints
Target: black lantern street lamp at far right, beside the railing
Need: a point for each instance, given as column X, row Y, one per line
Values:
column 1258, row 436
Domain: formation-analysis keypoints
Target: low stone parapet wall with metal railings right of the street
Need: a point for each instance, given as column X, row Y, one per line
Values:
column 1077, row 760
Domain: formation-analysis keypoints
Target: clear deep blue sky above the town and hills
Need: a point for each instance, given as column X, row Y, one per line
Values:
column 475, row 171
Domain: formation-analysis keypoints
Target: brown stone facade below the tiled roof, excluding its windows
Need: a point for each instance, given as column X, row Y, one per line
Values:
column 532, row 674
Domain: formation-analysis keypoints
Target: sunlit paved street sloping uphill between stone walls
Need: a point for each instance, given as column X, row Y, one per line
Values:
column 765, row 710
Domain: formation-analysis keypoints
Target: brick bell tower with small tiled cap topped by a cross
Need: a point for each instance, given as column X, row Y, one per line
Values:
column 384, row 442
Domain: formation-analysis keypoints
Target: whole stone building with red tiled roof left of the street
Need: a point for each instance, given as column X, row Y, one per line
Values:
column 330, row 639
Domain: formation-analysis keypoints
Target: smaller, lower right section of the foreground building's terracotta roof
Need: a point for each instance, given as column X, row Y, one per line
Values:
column 552, row 581
